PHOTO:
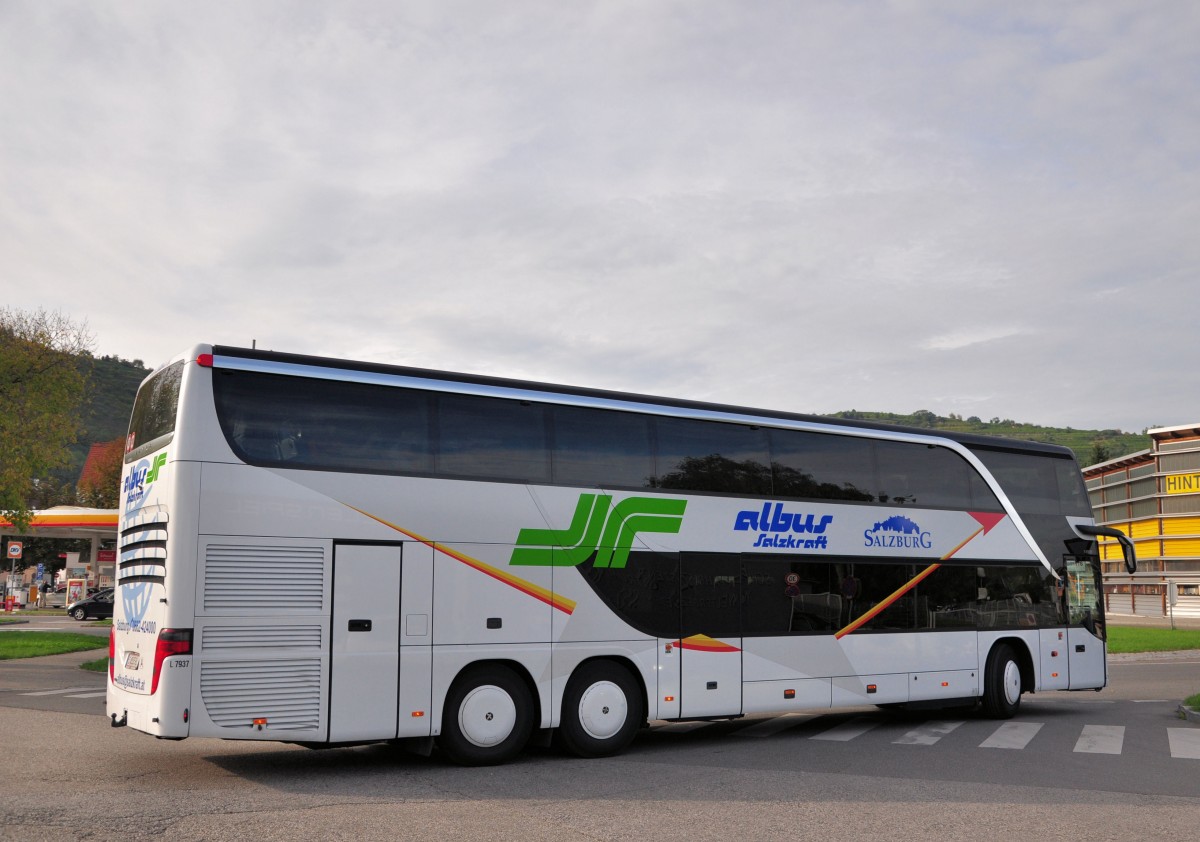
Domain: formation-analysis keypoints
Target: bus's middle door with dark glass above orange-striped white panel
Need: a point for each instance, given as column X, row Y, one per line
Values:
column 711, row 642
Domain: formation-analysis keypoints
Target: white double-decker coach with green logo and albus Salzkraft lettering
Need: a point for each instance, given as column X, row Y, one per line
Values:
column 328, row 552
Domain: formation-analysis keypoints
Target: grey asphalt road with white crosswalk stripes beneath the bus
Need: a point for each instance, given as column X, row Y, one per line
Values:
column 1112, row 766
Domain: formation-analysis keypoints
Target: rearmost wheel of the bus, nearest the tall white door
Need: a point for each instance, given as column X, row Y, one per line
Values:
column 488, row 718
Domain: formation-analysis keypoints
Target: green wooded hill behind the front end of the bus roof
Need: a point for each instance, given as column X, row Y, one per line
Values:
column 1090, row 446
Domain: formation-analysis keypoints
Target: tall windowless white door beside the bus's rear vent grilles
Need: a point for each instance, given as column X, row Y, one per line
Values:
column 365, row 640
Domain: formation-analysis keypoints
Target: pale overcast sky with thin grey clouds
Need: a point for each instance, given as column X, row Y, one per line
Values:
column 971, row 208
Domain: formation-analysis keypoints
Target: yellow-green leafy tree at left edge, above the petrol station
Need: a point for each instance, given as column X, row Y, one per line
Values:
column 43, row 389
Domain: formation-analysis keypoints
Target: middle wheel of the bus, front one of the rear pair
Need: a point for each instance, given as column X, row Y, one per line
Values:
column 603, row 709
